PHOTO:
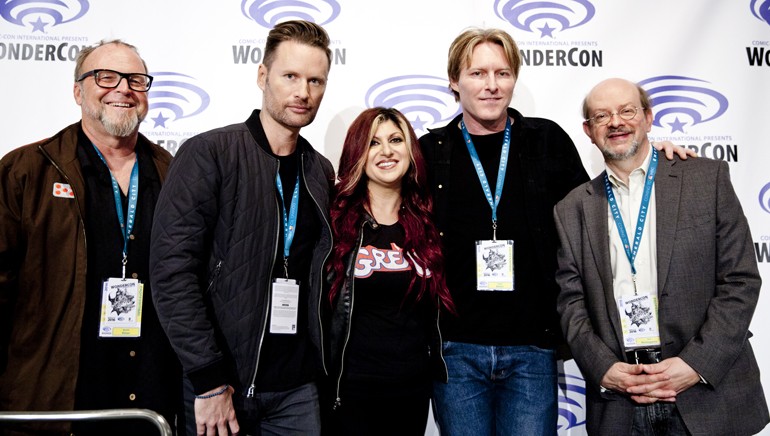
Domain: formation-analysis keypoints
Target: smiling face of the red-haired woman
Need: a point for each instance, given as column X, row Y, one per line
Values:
column 388, row 158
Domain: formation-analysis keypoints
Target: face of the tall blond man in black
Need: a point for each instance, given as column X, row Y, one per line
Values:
column 485, row 87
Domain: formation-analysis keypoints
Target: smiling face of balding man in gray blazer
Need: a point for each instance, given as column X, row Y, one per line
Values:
column 619, row 139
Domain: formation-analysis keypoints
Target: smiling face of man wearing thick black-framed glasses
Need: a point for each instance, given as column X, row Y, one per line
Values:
column 113, row 112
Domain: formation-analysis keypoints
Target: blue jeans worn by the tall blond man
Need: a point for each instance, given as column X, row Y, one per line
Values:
column 494, row 390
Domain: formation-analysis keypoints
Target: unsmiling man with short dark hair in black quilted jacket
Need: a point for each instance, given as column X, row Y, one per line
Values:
column 239, row 240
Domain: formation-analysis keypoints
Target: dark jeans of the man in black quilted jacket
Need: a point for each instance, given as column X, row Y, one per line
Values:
column 296, row 411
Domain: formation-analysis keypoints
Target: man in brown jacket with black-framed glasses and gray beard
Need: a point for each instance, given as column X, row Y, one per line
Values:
column 78, row 328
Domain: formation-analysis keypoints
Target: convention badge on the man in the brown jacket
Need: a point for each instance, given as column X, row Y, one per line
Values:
column 121, row 308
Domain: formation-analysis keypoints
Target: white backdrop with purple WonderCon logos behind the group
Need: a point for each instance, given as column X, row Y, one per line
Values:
column 705, row 62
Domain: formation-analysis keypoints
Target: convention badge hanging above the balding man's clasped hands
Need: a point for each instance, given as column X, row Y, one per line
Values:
column 639, row 321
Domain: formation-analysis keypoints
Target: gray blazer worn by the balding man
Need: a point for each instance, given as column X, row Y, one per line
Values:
column 708, row 287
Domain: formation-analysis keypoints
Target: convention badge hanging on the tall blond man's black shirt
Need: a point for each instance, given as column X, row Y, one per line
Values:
column 494, row 265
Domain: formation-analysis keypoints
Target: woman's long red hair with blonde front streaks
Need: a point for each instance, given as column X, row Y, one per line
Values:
column 351, row 201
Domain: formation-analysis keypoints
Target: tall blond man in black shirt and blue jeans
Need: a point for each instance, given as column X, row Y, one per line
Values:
column 495, row 176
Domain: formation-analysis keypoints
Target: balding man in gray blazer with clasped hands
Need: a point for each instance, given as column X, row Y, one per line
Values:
column 658, row 284
